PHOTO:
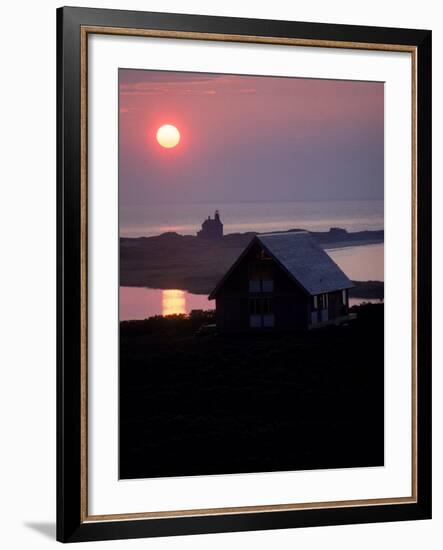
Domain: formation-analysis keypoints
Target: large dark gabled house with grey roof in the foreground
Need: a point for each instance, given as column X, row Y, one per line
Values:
column 282, row 281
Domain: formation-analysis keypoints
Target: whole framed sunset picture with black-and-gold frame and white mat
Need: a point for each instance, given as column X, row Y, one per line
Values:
column 244, row 274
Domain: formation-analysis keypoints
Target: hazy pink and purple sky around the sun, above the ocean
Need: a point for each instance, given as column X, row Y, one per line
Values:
column 249, row 138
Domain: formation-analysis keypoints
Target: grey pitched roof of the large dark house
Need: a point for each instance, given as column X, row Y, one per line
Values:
column 302, row 258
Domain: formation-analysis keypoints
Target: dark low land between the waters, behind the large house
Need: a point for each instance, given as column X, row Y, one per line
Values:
column 189, row 263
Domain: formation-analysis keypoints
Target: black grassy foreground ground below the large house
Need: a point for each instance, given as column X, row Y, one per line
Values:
column 213, row 404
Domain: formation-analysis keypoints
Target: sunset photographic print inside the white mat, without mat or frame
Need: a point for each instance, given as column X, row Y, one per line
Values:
column 251, row 273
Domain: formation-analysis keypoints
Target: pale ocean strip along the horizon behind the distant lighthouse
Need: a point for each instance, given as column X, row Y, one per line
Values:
column 186, row 218
